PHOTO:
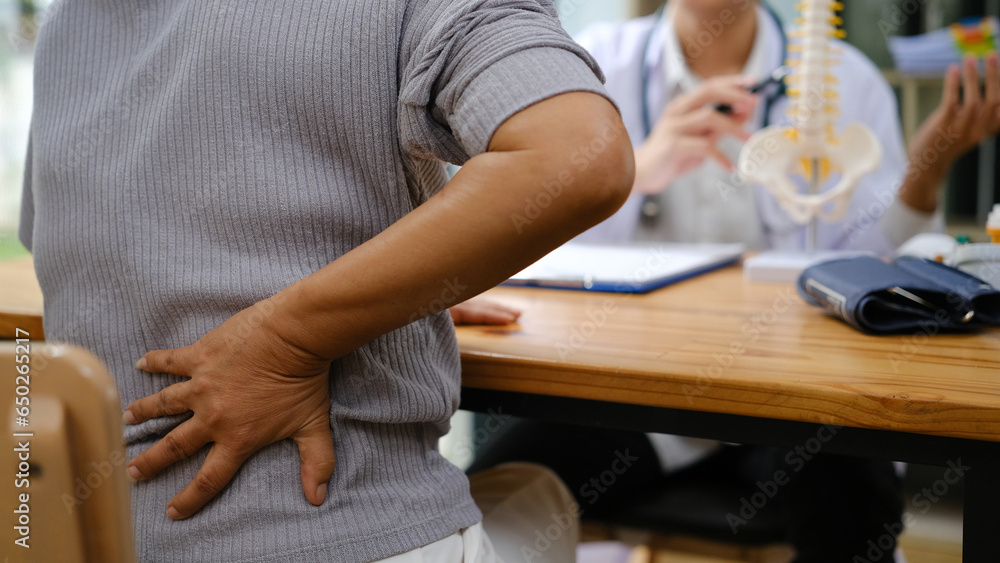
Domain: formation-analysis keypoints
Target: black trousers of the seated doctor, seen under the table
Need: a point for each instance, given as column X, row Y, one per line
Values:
column 833, row 505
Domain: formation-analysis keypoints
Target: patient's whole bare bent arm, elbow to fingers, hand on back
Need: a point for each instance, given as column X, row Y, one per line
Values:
column 274, row 357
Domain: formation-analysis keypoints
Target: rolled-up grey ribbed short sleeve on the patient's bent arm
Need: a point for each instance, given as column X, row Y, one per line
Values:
column 469, row 65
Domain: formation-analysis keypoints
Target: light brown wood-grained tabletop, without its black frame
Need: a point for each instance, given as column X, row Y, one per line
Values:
column 712, row 344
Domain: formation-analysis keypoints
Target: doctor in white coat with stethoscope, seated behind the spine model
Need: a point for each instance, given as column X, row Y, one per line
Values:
column 666, row 72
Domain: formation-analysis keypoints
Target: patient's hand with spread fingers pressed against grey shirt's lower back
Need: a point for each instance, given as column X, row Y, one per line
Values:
column 248, row 386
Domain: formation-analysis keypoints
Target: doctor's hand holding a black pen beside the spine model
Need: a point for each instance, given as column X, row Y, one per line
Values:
column 690, row 128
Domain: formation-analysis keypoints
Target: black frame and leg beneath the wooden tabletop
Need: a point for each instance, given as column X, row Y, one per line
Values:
column 981, row 503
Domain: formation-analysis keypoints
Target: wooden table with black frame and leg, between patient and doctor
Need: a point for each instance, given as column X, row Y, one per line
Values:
column 717, row 358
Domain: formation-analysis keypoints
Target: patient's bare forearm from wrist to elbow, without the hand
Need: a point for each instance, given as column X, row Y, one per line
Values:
column 471, row 236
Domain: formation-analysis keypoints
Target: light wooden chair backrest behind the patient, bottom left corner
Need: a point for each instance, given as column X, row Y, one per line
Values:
column 65, row 493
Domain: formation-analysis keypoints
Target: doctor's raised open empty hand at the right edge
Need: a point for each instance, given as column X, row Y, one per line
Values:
column 967, row 115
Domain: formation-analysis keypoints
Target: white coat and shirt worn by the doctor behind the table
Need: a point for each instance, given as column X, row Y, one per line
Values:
column 697, row 208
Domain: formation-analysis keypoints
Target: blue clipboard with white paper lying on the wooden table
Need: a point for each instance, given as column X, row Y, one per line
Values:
column 625, row 269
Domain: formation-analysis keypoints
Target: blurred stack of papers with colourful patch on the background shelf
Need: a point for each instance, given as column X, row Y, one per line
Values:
column 934, row 52
